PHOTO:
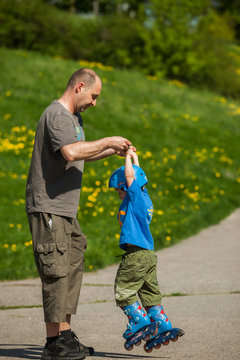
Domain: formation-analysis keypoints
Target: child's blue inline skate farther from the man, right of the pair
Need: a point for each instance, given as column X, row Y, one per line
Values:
column 165, row 331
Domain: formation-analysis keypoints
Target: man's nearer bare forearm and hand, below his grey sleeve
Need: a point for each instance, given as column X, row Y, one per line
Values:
column 83, row 150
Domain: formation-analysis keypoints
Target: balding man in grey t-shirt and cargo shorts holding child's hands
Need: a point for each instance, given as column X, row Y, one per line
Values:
column 52, row 200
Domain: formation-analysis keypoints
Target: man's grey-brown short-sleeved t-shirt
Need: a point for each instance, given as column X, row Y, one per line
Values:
column 54, row 184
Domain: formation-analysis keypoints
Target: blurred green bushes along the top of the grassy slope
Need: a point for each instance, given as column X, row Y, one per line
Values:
column 188, row 41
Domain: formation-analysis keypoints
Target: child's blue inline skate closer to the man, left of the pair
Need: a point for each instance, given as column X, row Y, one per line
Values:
column 139, row 326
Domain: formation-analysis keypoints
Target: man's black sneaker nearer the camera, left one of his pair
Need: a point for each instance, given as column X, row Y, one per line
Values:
column 62, row 349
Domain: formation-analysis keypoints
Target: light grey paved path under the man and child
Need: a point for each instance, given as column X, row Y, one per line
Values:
column 205, row 268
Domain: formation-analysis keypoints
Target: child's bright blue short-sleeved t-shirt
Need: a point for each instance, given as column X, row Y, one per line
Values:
column 135, row 215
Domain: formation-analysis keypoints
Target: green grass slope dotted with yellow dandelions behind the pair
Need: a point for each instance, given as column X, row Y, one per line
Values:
column 188, row 143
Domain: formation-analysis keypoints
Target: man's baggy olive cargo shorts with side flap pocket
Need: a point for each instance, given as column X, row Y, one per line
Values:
column 58, row 246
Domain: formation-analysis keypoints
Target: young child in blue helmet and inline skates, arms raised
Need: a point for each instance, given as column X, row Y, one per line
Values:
column 137, row 273
